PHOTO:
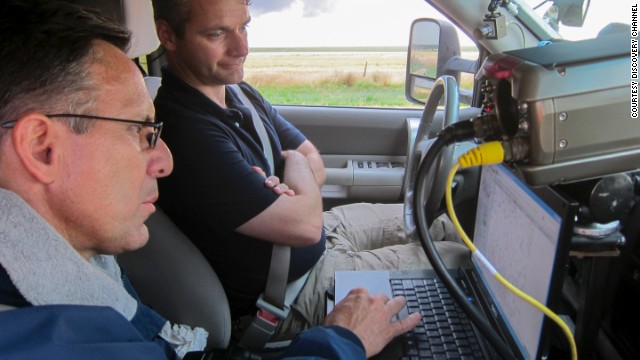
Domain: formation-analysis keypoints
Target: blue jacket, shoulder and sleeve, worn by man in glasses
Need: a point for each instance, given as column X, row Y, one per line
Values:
column 90, row 332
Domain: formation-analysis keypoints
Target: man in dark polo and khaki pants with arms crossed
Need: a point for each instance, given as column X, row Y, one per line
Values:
column 218, row 194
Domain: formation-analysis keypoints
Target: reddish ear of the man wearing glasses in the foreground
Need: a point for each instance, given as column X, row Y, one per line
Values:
column 33, row 139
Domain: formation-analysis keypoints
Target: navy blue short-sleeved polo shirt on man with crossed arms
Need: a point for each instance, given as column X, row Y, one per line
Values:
column 213, row 190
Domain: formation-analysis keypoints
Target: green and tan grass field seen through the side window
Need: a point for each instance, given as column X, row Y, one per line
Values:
column 365, row 78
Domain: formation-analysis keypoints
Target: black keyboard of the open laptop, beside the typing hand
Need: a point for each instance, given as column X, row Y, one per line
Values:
column 445, row 331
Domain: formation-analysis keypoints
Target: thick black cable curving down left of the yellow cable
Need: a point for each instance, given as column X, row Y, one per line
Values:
column 447, row 137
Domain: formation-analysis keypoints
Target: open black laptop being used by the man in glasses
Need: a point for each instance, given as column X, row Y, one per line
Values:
column 525, row 233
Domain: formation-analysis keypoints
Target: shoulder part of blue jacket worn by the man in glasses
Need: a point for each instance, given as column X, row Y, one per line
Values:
column 73, row 332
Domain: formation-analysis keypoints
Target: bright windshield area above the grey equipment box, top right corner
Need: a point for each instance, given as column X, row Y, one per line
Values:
column 564, row 16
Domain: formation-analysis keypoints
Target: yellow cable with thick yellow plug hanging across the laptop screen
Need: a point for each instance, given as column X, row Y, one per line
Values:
column 486, row 154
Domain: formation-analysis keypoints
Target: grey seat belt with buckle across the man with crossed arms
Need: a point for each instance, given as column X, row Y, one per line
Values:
column 274, row 303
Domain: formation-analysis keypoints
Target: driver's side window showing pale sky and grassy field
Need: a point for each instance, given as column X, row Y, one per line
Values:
column 349, row 53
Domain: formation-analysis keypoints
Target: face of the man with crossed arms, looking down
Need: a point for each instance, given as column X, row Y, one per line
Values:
column 214, row 46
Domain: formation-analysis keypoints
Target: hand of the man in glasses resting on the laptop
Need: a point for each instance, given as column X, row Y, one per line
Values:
column 369, row 317
